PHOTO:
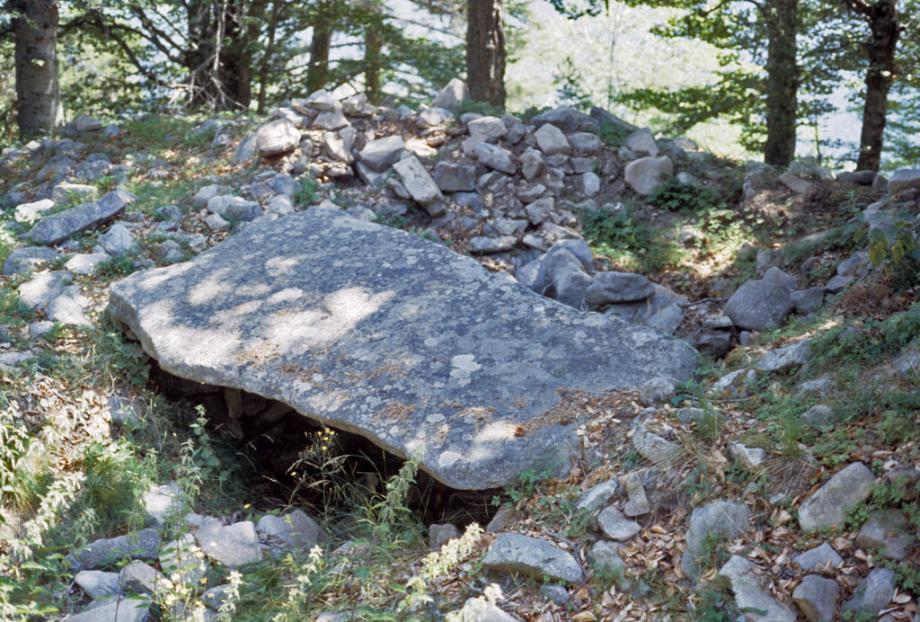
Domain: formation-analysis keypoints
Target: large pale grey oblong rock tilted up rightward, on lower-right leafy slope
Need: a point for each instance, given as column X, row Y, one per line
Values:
column 829, row 505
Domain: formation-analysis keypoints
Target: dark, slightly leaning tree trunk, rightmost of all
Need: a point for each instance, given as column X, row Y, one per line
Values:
column 881, row 47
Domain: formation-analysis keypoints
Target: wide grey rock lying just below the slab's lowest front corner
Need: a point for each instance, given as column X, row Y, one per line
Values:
column 536, row 557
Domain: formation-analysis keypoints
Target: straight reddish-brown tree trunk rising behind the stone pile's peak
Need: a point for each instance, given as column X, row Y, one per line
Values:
column 485, row 52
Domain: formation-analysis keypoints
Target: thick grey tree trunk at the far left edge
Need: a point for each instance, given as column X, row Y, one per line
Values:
column 38, row 99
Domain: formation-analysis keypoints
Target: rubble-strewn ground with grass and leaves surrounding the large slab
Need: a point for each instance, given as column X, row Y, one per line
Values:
column 779, row 482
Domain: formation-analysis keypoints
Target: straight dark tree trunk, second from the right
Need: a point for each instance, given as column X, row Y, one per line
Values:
column 782, row 81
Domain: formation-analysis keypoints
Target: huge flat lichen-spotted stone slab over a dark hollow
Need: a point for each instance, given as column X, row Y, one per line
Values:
column 378, row 332
